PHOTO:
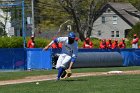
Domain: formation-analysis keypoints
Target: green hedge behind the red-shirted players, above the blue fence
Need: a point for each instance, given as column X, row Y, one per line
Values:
column 17, row 42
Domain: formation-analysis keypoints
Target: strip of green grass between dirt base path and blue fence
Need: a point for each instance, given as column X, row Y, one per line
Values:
column 22, row 74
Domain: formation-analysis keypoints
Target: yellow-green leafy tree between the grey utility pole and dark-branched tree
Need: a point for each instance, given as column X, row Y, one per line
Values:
column 49, row 14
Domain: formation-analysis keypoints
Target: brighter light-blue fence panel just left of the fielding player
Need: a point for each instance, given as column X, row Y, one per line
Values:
column 38, row 59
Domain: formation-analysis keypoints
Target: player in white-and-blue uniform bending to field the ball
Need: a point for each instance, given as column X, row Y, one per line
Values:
column 69, row 53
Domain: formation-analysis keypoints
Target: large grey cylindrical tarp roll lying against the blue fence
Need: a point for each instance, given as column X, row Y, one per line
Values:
column 98, row 59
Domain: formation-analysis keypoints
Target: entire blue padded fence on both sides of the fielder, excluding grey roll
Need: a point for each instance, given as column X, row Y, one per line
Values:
column 20, row 58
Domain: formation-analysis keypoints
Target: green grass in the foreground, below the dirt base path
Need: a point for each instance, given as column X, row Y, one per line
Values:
column 96, row 84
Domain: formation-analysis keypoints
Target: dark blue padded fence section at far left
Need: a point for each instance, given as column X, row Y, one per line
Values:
column 11, row 58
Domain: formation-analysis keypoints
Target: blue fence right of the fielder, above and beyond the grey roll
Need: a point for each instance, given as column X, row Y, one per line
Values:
column 131, row 57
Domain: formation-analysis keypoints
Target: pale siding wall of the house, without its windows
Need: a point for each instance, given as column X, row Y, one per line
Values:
column 108, row 26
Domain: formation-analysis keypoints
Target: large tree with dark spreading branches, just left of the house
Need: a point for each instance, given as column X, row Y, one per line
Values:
column 84, row 13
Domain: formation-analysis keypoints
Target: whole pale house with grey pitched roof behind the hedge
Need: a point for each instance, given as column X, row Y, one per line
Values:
column 115, row 21
